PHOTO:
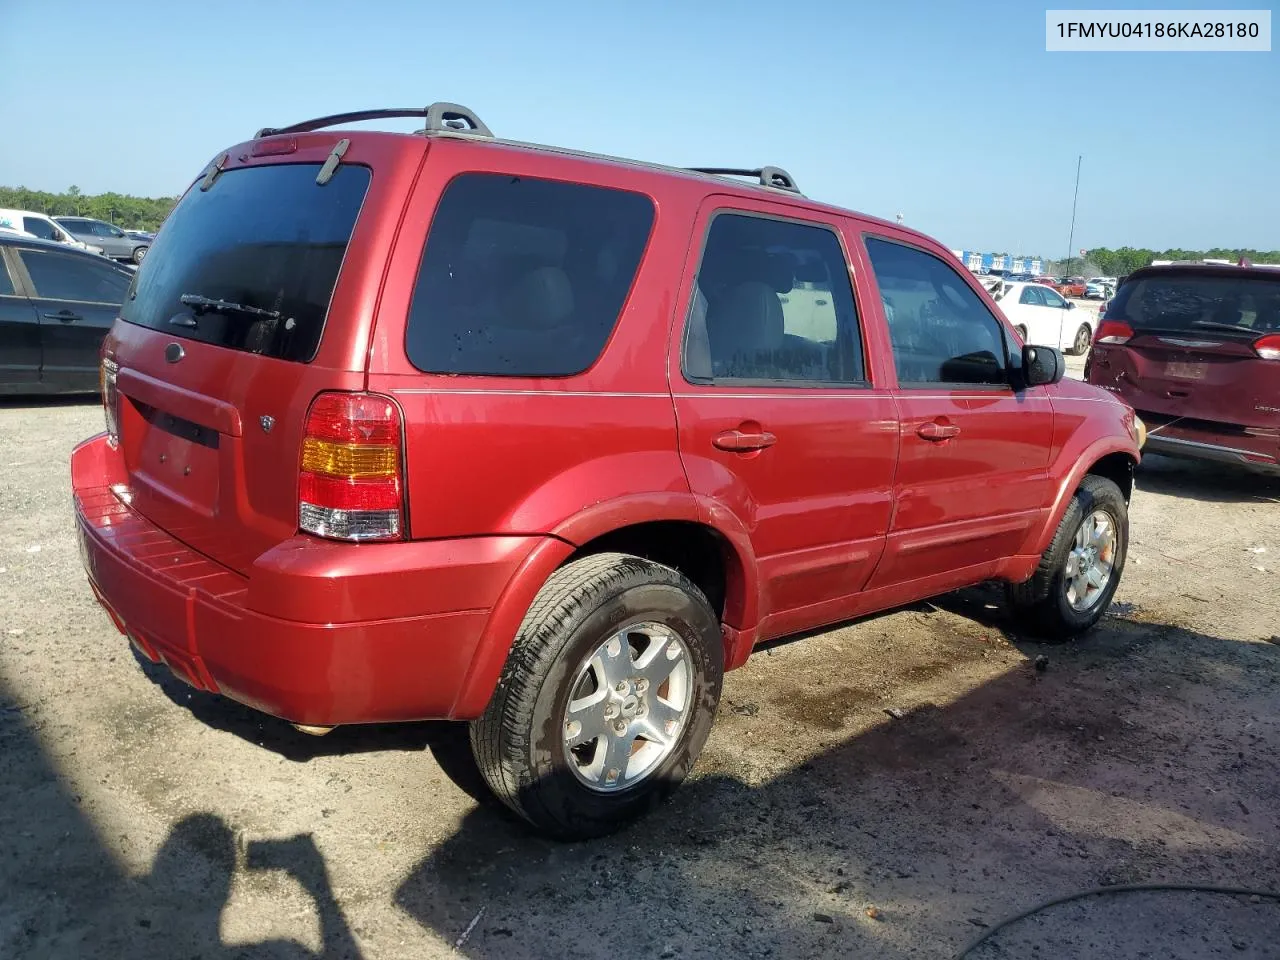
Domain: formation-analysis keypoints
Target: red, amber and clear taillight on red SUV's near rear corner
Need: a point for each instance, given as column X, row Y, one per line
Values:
column 351, row 486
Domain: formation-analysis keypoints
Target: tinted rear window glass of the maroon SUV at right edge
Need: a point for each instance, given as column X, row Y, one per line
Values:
column 1209, row 304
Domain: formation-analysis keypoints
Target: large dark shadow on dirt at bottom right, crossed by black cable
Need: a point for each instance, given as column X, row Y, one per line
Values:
column 940, row 820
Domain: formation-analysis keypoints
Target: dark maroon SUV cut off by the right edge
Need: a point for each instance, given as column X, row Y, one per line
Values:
column 1196, row 350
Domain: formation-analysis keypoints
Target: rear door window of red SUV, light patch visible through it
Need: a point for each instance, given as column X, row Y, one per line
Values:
column 774, row 304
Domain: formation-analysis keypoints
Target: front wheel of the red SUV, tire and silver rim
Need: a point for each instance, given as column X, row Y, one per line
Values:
column 1080, row 573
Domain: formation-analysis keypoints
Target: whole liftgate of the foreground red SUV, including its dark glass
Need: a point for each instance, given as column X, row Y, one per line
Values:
column 218, row 356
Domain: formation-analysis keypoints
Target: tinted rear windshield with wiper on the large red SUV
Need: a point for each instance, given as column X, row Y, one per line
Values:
column 266, row 237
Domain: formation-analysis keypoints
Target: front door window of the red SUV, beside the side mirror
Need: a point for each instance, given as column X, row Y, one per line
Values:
column 940, row 328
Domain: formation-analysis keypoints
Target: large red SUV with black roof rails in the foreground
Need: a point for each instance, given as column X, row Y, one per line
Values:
column 445, row 427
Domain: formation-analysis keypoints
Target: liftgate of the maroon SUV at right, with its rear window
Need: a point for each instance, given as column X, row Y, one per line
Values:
column 1192, row 351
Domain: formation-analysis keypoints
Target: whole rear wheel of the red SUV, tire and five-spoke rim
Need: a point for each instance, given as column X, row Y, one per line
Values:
column 607, row 697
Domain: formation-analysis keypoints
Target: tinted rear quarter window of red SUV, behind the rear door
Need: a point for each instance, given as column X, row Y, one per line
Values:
column 524, row 277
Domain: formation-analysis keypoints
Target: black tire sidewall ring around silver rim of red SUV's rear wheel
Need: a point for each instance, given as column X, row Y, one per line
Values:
column 559, row 789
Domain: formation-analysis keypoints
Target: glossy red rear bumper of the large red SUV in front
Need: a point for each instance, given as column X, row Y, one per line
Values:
column 319, row 633
